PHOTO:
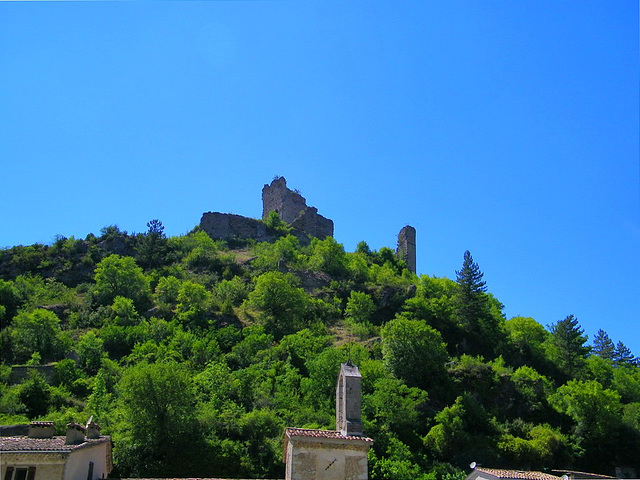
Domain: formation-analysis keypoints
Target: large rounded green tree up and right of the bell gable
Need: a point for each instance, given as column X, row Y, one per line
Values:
column 414, row 352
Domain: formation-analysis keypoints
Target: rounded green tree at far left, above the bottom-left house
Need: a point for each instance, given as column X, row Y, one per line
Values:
column 36, row 331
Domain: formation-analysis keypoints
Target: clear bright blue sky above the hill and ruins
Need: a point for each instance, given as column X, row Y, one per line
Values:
column 506, row 128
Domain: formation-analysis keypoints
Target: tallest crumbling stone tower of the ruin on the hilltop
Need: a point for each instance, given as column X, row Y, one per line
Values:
column 292, row 208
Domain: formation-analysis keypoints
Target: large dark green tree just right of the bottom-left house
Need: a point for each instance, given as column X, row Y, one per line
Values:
column 157, row 411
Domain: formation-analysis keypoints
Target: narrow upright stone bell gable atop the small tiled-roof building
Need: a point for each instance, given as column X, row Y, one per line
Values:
column 348, row 393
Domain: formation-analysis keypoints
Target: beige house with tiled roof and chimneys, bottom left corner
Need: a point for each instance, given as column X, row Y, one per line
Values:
column 82, row 454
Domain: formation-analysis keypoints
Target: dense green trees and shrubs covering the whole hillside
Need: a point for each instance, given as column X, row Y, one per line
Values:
column 195, row 355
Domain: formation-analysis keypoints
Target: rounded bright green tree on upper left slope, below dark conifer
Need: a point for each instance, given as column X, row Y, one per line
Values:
column 120, row 276
